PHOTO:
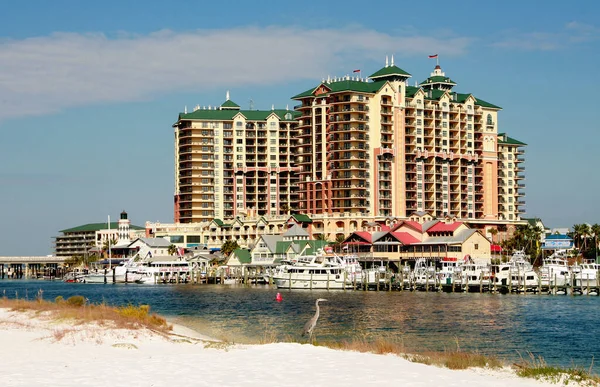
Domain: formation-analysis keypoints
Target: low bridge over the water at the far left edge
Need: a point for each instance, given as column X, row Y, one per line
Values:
column 31, row 266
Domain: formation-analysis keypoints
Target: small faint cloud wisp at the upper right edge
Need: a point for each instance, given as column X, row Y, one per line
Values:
column 571, row 33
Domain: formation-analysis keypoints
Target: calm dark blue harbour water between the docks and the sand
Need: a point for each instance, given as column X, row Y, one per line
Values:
column 562, row 329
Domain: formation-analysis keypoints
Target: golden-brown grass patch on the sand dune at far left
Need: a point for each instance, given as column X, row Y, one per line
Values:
column 79, row 310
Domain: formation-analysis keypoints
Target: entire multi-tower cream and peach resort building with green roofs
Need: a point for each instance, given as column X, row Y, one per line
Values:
column 353, row 152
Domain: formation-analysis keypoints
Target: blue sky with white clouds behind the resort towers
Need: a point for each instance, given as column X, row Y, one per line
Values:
column 89, row 90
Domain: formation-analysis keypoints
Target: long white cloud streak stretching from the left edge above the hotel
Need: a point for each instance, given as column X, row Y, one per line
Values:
column 50, row 73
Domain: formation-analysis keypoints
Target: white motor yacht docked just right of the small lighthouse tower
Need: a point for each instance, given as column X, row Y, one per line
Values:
column 163, row 270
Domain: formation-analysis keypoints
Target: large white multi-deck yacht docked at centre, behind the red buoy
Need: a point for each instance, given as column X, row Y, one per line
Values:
column 312, row 272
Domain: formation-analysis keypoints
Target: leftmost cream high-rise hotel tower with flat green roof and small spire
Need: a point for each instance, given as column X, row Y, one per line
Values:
column 232, row 162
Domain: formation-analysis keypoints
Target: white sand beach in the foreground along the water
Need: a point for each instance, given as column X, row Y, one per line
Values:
column 41, row 352
